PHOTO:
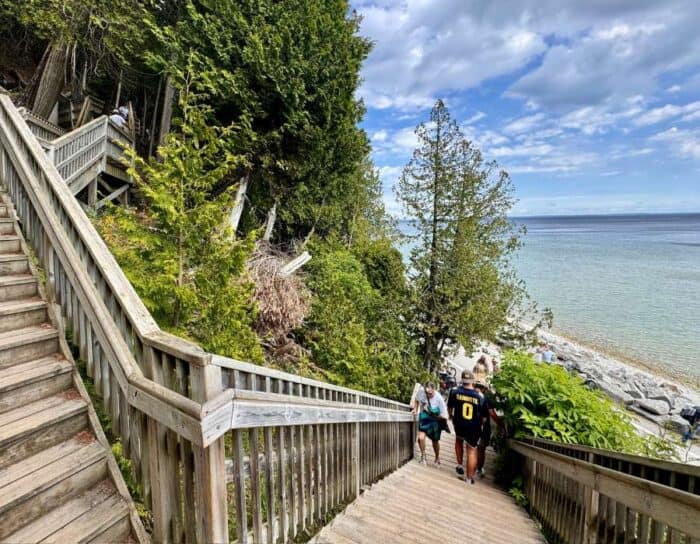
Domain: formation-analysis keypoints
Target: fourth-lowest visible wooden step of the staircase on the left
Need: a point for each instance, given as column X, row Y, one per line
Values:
column 34, row 380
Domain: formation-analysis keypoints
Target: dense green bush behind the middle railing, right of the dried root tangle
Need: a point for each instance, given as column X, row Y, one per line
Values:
column 355, row 333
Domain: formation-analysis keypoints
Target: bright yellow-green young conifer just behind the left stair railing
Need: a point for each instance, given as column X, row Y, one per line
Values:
column 179, row 252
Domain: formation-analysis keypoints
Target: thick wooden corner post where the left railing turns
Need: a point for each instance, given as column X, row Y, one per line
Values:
column 209, row 466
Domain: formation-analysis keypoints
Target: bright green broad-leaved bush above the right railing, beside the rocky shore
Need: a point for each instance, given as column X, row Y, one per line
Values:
column 545, row 401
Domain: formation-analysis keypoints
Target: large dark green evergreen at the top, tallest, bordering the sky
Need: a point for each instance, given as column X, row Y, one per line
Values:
column 287, row 73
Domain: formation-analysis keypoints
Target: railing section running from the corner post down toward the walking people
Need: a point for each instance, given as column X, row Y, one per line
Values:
column 299, row 448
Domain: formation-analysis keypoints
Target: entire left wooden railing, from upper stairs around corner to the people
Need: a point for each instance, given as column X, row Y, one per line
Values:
column 174, row 406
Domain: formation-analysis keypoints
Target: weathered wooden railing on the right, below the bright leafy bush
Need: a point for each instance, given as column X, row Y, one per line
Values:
column 586, row 495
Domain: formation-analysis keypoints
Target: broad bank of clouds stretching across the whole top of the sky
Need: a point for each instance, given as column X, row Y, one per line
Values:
column 589, row 51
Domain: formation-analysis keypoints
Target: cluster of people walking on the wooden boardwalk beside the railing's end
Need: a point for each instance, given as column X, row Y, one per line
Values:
column 470, row 408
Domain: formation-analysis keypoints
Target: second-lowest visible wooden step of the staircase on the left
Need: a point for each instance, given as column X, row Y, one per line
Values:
column 42, row 482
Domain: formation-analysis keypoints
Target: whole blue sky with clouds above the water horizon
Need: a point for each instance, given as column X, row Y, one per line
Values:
column 593, row 106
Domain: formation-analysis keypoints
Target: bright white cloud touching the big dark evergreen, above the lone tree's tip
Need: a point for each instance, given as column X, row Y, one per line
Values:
column 423, row 50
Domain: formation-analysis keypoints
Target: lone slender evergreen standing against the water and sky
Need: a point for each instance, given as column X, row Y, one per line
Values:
column 457, row 204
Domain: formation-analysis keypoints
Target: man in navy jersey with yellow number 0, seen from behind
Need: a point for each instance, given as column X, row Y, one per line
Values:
column 465, row 407
